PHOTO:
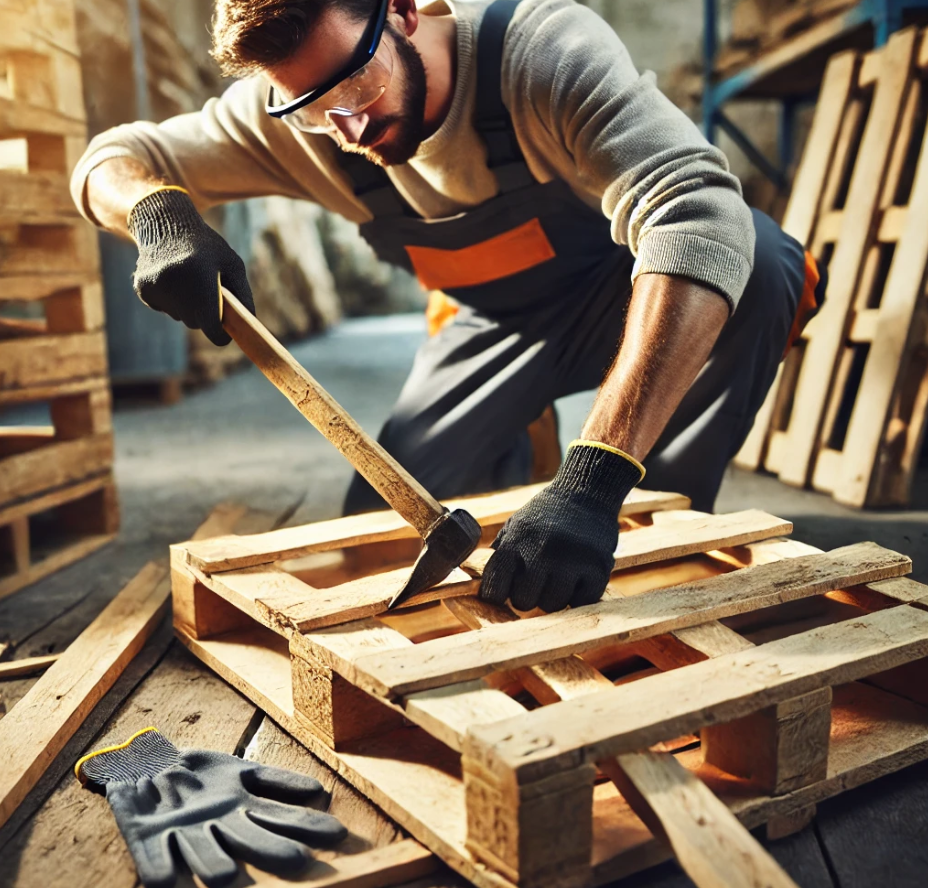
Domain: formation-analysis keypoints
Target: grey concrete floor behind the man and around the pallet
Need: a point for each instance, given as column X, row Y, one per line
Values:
column 242, row 441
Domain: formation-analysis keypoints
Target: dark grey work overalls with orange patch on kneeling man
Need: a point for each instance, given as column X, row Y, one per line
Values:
column 525, row 336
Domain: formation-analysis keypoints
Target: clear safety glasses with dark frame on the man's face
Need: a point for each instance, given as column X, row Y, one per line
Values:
column 359, row 84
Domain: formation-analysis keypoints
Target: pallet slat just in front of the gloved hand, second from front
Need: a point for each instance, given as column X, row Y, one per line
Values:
column 473, row 655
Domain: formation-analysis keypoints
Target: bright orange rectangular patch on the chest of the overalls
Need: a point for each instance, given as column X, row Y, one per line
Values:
column 506, row 254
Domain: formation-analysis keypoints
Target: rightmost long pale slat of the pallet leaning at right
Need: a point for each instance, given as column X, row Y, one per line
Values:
column 884, row 369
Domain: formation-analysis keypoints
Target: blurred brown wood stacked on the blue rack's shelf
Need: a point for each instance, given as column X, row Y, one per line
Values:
column 760, row 26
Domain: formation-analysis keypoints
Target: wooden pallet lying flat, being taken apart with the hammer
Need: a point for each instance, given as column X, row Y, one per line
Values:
column 553, row 749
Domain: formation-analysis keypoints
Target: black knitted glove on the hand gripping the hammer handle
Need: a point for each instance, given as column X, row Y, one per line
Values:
column 181, row 260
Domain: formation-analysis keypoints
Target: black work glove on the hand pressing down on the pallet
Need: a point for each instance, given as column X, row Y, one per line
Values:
column 558, row 549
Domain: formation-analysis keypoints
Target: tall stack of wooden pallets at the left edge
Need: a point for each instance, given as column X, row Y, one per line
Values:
column 57, row 499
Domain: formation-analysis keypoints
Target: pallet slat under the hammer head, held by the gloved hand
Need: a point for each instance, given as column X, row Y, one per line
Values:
column 286, row 604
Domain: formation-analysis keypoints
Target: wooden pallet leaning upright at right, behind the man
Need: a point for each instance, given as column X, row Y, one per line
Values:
column 848, row 411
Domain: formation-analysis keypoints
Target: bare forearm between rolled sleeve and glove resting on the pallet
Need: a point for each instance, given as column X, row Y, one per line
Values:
column 671, row 327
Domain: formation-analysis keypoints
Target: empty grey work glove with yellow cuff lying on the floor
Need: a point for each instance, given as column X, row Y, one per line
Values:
column 206, row 808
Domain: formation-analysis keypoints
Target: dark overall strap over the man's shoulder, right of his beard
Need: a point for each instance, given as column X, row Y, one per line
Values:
column 492, row 120
